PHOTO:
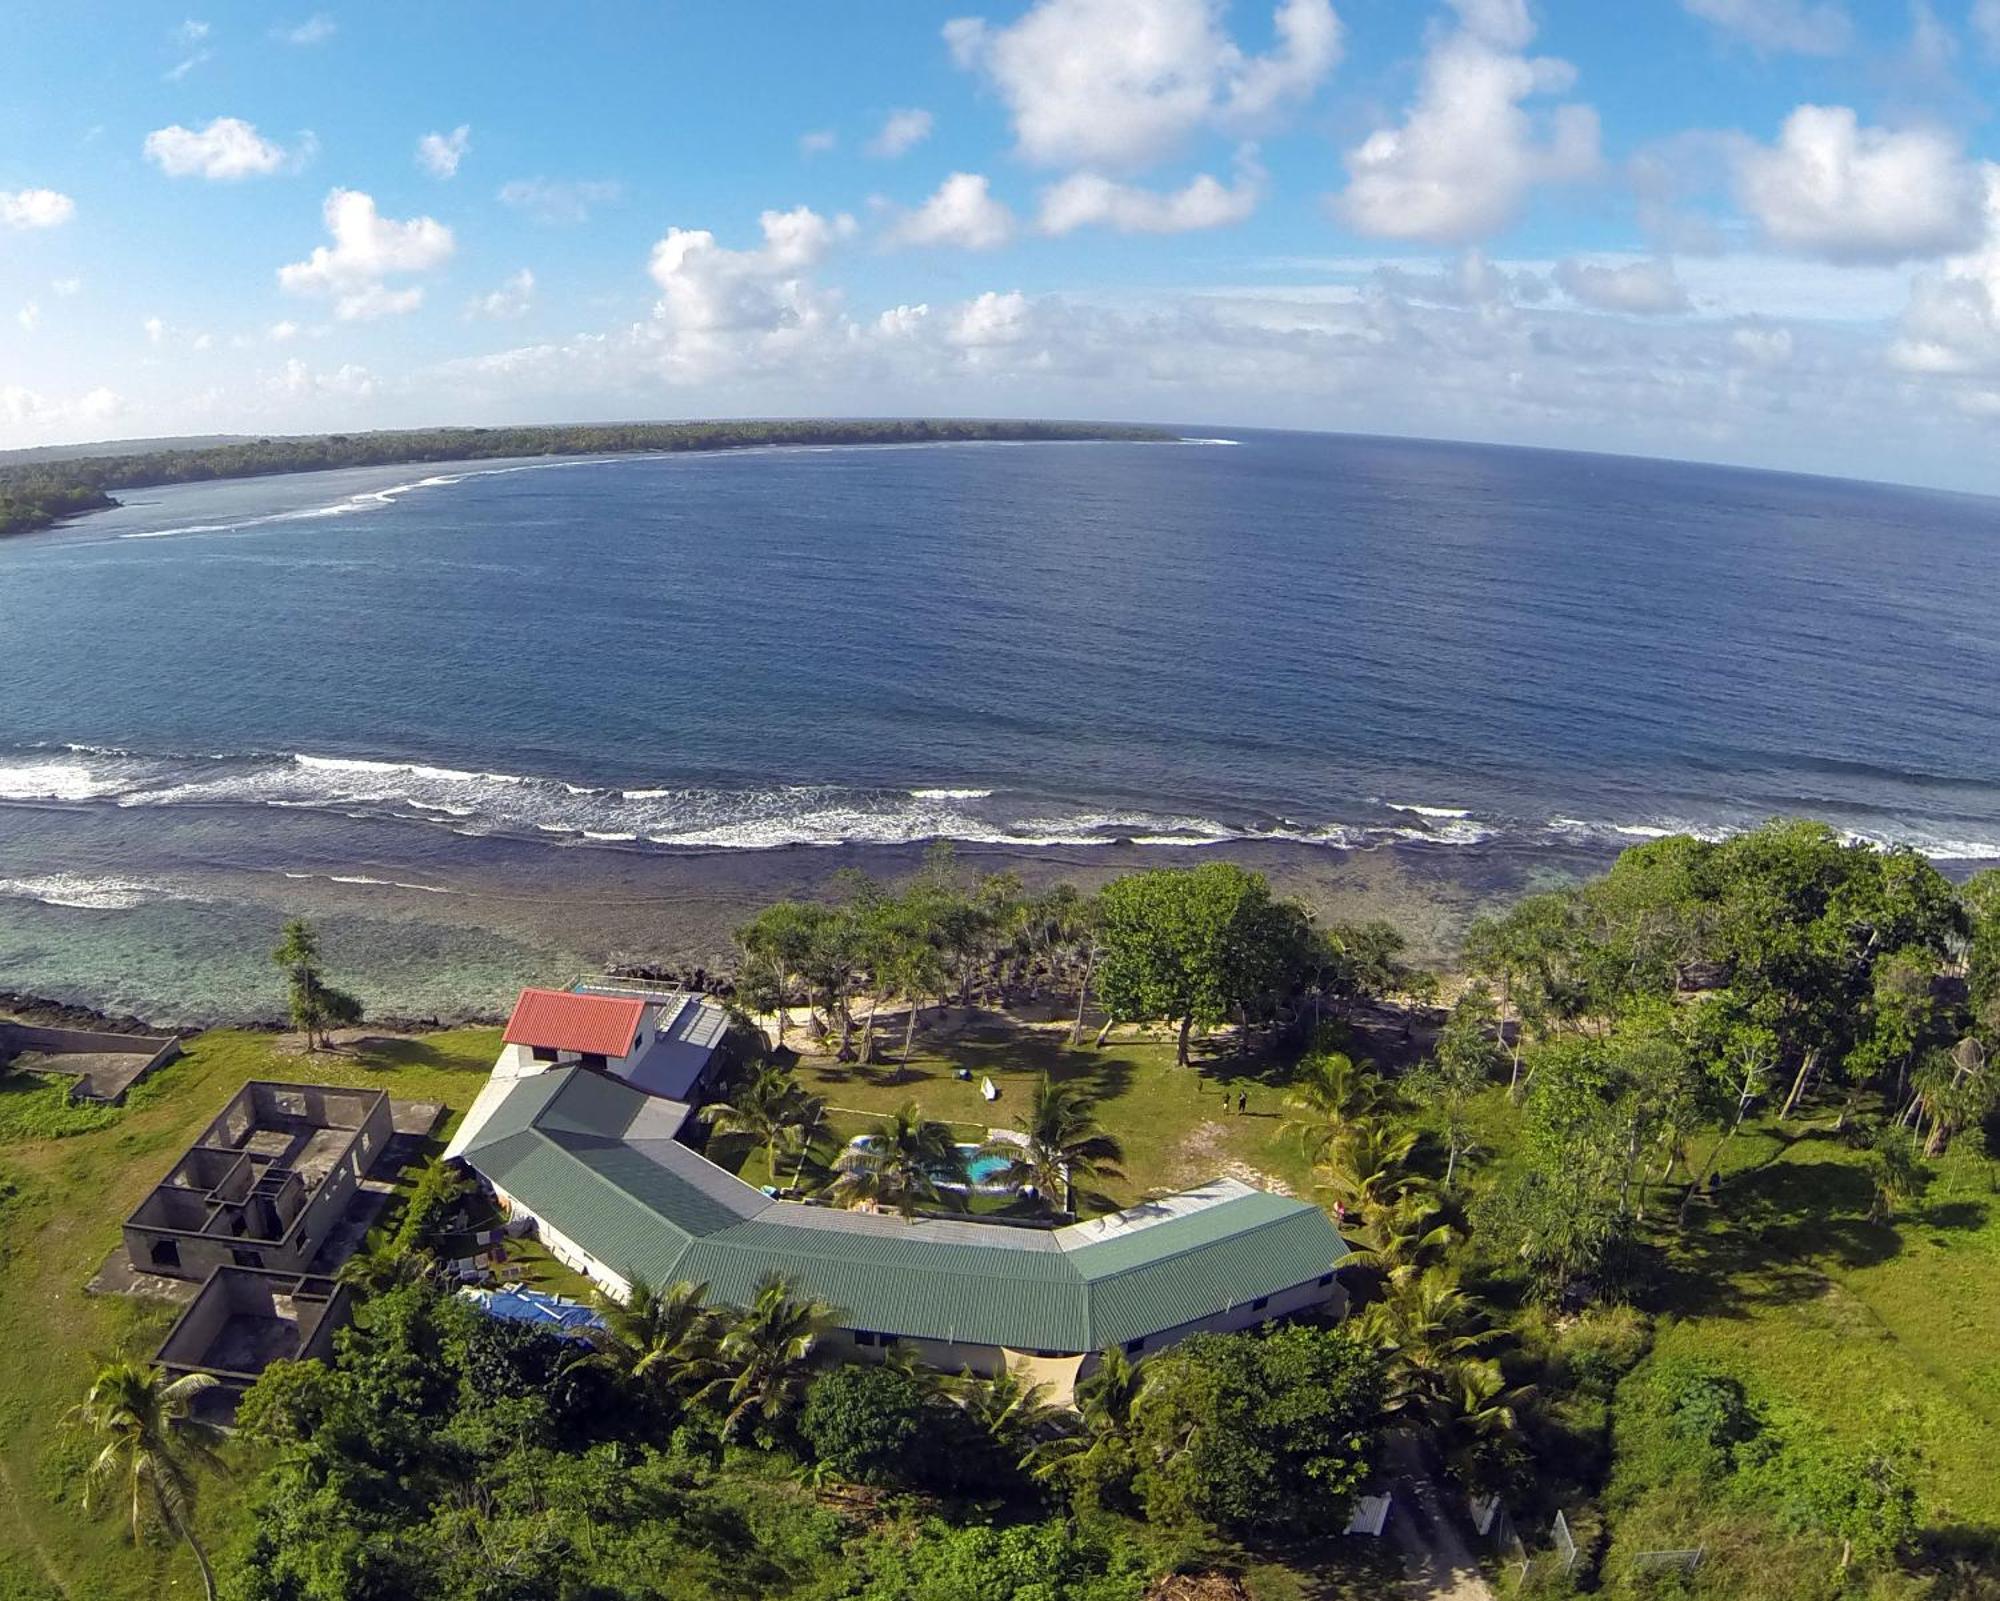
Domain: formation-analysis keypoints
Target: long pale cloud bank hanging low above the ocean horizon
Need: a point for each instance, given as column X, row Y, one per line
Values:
column 1471, row 349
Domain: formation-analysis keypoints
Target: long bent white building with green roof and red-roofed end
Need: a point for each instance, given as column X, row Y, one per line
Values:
column 575, row 1138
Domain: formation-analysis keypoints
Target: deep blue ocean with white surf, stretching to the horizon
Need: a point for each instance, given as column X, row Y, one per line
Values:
column 1321, row 641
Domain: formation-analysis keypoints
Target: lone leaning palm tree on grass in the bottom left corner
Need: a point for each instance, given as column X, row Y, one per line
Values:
column 153, row 1448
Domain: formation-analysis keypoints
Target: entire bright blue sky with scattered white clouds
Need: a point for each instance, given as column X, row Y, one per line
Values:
column 1751, row 231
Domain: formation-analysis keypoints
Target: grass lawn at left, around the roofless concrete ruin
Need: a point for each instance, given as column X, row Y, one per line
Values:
column 61, row 1206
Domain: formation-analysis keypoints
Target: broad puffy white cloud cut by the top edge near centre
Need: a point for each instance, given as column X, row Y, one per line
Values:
column 1121, row 83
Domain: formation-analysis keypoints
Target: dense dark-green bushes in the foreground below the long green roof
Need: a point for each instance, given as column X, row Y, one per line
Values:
column 451, row 1456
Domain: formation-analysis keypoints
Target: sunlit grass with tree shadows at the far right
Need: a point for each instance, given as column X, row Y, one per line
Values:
column 1875, row 1332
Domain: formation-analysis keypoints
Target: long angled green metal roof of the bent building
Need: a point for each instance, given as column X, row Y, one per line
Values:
column 583, row 1152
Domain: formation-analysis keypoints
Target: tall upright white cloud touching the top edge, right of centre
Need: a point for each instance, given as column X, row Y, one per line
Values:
column 1469, row 153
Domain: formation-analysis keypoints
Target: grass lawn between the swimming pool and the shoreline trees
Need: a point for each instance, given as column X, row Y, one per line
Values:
column 1179, row 1126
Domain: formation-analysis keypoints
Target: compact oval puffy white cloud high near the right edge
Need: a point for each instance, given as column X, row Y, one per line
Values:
column 1855, row 195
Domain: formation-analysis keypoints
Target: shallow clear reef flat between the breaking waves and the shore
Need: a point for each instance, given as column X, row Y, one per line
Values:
column 443, row 930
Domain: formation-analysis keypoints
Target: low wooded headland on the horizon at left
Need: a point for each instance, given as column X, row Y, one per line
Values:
column 43, row 493
